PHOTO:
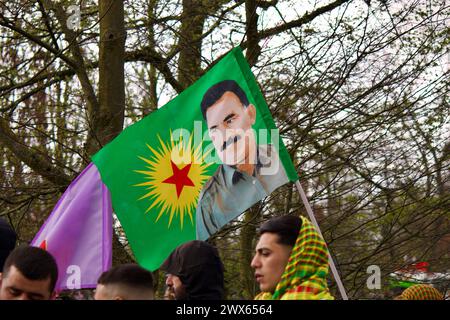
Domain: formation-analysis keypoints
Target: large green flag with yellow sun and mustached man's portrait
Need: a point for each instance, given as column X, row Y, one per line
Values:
column 195, row 164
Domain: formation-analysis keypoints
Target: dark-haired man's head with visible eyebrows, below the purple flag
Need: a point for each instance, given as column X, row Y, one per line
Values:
column 29, row 273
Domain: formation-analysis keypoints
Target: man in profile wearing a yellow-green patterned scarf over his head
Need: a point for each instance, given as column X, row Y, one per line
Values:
column 291, row 261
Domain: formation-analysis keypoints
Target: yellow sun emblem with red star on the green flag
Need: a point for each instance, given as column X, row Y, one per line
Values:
column 175, row 174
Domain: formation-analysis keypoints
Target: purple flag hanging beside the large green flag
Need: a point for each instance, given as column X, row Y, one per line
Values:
column 78, row 232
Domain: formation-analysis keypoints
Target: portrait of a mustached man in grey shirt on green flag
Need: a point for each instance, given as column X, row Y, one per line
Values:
column 249, row 171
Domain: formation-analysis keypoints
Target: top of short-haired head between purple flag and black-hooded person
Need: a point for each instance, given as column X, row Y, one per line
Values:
column 125, row 282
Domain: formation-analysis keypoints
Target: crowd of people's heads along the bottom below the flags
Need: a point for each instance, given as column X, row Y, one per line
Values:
column 290, row 263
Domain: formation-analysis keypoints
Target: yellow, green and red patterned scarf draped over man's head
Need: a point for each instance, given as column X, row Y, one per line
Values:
column 305, row 276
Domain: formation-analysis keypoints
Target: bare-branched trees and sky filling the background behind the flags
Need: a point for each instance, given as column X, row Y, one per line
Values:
column 358, row 89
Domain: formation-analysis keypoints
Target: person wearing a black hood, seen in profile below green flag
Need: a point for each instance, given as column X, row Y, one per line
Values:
column 195, row 272
